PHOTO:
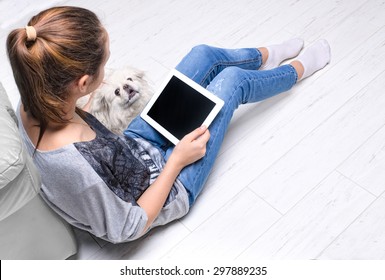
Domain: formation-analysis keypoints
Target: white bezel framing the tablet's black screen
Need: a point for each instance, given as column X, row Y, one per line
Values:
column 218, row 104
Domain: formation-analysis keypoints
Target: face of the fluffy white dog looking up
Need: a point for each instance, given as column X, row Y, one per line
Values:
column 123, row 88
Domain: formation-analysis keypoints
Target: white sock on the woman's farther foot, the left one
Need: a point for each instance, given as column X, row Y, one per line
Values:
column 281, row 52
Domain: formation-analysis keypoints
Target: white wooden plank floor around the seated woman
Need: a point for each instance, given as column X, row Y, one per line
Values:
column 300, row 176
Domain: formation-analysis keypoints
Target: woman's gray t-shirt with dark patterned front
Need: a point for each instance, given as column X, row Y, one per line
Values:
column 94, row 185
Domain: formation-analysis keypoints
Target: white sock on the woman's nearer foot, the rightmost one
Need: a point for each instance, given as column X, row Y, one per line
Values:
column 315, row 57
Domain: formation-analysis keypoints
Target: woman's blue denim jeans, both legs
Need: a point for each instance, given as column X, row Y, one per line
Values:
column 232, row 75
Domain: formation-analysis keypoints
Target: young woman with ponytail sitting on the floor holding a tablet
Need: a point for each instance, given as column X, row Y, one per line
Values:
column 119, row 187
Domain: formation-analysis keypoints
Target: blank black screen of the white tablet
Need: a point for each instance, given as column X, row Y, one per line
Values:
column 180, row 108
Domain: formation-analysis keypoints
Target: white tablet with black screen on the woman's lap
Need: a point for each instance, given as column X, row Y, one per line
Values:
column 179, row 106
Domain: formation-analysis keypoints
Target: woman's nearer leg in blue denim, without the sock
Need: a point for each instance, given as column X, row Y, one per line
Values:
column 235, row 86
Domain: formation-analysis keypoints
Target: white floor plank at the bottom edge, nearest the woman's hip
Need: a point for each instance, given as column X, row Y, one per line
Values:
column 221, row 238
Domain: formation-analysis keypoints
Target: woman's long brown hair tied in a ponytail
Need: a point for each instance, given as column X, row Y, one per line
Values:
column 69, row 43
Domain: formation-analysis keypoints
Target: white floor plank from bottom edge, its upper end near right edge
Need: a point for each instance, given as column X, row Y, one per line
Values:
column 314, row 222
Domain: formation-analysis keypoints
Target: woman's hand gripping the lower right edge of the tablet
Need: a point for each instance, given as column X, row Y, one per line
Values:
column 191, row 148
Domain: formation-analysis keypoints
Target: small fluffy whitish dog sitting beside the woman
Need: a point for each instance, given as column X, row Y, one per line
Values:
column 121, row 97
